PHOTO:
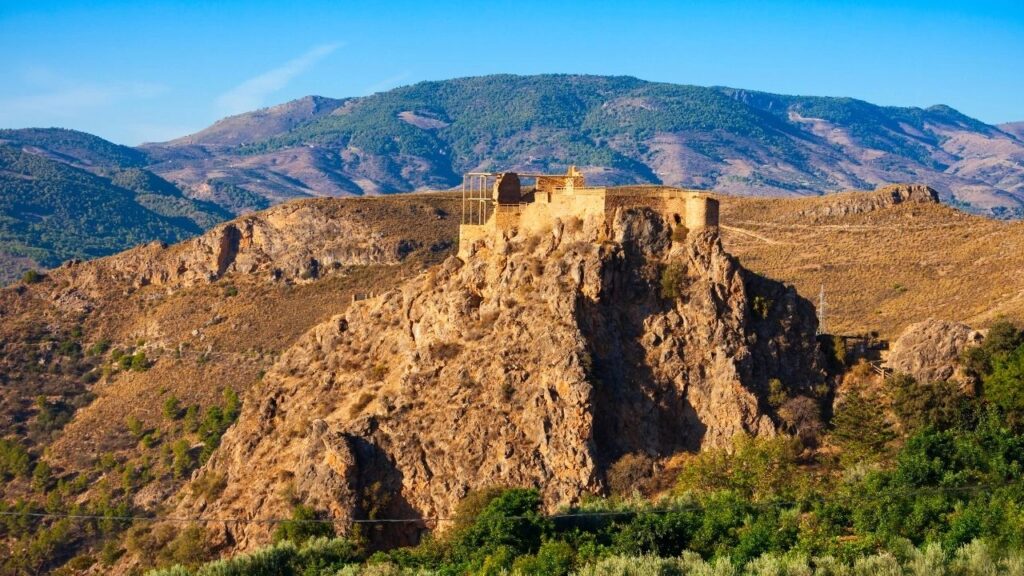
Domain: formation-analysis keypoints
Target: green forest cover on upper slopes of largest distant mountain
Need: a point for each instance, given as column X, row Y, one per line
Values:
column 602, row 121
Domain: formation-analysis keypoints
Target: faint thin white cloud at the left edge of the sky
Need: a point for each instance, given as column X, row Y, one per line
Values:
column 72, row 100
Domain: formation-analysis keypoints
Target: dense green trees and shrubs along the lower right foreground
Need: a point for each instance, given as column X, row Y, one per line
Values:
column 937, row 487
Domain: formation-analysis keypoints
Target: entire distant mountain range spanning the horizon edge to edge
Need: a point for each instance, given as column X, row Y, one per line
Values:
column 618, row 130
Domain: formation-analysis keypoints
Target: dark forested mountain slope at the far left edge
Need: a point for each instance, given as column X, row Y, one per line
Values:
column 69, row 195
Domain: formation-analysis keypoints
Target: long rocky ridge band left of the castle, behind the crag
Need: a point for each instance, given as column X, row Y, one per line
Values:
column 297, row 241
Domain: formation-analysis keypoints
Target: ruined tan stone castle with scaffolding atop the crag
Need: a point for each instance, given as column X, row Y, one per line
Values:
column 496, row 203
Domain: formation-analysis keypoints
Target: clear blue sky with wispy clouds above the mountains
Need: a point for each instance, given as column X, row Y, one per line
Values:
column 152, row 71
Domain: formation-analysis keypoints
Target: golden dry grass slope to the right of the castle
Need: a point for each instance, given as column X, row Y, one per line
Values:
column 884, row 270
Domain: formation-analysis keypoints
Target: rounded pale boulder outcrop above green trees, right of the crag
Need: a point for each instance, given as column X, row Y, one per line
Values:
column 931, row 350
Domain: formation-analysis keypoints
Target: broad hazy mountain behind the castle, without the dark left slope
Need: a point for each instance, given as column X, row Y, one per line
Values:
column 620, row 130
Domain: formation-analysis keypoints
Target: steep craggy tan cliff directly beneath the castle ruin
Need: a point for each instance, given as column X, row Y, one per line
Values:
column 539, row 361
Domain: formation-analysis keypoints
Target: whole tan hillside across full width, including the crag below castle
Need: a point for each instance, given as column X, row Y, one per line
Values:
column 116, row 373
